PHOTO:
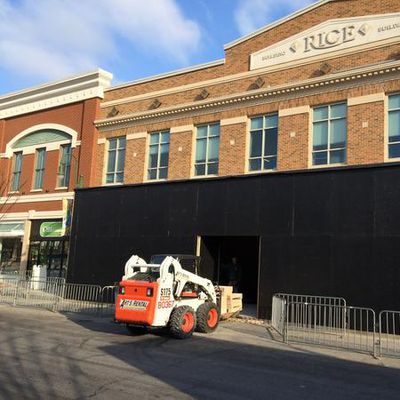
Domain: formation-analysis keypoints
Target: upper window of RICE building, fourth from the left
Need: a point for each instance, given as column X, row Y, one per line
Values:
column 263, row 142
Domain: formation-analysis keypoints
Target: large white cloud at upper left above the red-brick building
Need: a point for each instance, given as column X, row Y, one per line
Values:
column 49, row 39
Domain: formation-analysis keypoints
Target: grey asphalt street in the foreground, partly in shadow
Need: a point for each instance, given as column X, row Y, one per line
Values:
column 44, row 355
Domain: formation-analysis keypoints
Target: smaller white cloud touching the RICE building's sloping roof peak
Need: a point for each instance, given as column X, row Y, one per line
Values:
column 253, row 14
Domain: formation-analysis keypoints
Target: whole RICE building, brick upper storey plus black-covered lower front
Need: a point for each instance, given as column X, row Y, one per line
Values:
column 284, row 155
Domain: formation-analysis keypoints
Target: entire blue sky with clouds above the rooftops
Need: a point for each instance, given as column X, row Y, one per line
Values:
column 45, row 40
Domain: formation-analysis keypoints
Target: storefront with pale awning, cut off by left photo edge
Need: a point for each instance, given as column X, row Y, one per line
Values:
column 11, row 238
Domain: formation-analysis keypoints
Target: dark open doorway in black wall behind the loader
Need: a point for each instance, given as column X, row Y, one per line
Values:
column 232, row 261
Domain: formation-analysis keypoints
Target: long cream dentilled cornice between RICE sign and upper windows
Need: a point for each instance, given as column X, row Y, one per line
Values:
column 262, row 94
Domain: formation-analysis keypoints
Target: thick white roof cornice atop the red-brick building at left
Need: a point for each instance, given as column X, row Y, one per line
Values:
column 67, row 91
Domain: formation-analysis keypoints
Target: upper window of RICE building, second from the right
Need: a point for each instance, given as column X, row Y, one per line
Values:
column 329, row 134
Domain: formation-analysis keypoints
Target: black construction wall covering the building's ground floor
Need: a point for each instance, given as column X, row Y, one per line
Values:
column 330, row 232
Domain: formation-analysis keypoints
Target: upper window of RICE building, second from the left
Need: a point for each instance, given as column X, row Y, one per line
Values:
column 158, row 155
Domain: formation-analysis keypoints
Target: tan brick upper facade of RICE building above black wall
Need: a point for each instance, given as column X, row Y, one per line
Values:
column 316, row 89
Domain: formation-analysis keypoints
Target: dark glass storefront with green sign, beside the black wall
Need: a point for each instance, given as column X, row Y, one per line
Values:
column 49, row 246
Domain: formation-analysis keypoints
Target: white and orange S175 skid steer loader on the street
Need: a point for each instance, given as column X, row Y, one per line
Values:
column 166, row 295
